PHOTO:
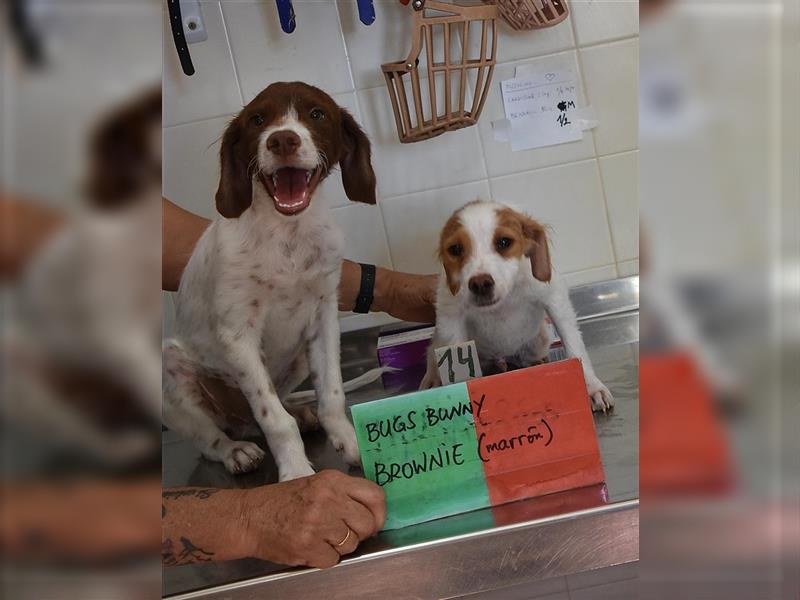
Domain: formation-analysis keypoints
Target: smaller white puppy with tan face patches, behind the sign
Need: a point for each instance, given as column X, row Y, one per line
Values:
column 496, row 288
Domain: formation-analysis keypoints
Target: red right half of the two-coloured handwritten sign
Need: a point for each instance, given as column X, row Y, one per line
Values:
column 535, row 431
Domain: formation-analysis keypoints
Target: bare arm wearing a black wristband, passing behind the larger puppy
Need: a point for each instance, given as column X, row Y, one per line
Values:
column 403, row 295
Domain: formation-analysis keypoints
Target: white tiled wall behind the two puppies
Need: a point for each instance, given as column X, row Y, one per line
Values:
column 586, row 191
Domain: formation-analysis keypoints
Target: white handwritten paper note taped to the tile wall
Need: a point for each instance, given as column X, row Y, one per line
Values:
column 540, row 107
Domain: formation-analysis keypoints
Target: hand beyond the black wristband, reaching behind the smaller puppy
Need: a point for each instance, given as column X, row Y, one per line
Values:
column 409, row 297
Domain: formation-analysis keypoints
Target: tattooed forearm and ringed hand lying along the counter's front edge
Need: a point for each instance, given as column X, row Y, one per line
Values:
column 309, row 521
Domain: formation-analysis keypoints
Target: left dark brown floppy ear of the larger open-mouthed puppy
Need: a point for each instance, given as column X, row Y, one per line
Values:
column 235, row 191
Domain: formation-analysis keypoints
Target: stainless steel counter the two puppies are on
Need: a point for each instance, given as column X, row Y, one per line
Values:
column 483, row 550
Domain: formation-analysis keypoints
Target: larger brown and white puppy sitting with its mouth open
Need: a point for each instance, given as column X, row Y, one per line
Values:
column 257, row 303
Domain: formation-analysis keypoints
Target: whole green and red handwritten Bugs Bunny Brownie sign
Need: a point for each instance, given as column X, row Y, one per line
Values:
column 481, row 443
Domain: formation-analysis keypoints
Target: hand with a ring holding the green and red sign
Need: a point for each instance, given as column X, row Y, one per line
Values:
column 311, row 521
